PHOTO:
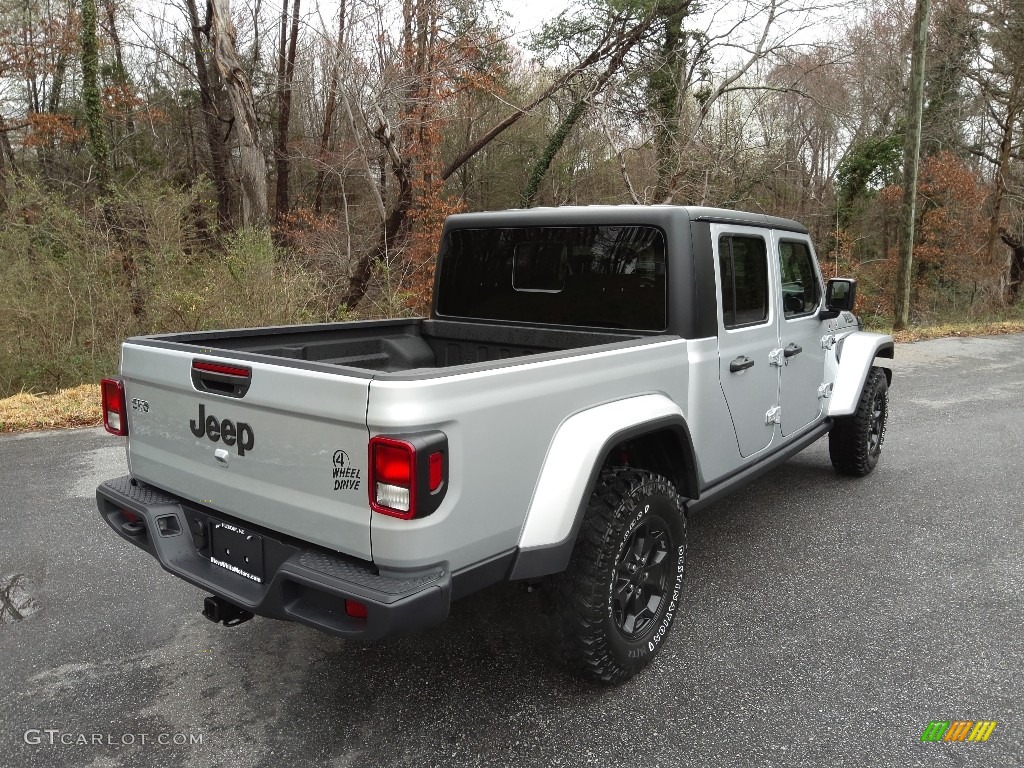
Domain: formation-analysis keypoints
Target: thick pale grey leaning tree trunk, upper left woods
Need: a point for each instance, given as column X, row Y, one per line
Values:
column 252, row 163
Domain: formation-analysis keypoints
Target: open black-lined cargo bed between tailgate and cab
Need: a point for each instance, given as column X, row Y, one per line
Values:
column 396, row 347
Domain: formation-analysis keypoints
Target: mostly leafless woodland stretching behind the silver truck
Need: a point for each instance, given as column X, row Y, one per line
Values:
column 177, row 166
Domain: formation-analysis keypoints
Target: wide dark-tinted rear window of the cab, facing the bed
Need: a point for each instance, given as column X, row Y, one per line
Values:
column 603, row 277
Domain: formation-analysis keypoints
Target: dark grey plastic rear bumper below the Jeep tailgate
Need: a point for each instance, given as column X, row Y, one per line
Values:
column 301, row 584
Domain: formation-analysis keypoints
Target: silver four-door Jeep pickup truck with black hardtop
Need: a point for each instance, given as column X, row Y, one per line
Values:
column 587, row 377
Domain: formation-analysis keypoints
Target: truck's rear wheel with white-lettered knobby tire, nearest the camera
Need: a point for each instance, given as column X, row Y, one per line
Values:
column 620, row 596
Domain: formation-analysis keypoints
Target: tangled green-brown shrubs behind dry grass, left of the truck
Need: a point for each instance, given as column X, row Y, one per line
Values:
column 68, row 276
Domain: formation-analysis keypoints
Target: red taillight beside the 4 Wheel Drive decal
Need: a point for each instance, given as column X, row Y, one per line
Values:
column 408, row 475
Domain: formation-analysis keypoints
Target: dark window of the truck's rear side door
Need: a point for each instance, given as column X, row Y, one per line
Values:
column 744, row 263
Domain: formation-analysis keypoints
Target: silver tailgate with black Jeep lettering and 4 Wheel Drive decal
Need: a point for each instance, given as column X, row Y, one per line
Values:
column 290, row 454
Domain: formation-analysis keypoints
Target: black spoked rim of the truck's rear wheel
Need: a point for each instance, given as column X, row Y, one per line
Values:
column 642, row 579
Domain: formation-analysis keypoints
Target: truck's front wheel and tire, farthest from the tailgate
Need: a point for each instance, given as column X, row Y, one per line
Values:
column 856, row 442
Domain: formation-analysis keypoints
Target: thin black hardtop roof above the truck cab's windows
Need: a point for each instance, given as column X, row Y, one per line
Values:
column 626, row 215
